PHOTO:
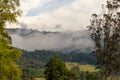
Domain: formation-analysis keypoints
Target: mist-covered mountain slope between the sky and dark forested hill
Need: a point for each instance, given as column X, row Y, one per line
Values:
column 29, row 39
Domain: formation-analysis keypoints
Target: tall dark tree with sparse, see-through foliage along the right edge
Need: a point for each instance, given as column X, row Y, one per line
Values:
column 105, row 32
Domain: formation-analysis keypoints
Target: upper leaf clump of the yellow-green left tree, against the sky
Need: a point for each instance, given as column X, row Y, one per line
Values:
column 9, row 10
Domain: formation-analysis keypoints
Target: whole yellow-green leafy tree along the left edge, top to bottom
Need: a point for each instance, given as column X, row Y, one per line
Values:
column 9, row 70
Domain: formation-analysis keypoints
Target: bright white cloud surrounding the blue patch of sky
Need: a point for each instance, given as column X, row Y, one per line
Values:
column 74, row 16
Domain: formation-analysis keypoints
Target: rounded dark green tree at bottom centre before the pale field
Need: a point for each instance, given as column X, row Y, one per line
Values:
column 56, row 70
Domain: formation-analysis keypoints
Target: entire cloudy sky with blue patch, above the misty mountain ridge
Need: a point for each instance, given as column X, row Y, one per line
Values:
column 57, row 15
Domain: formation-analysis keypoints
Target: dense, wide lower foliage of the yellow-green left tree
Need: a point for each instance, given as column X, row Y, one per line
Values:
column 8, row 68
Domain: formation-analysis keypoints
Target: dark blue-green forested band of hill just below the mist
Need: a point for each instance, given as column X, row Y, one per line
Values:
column 44, row 56
